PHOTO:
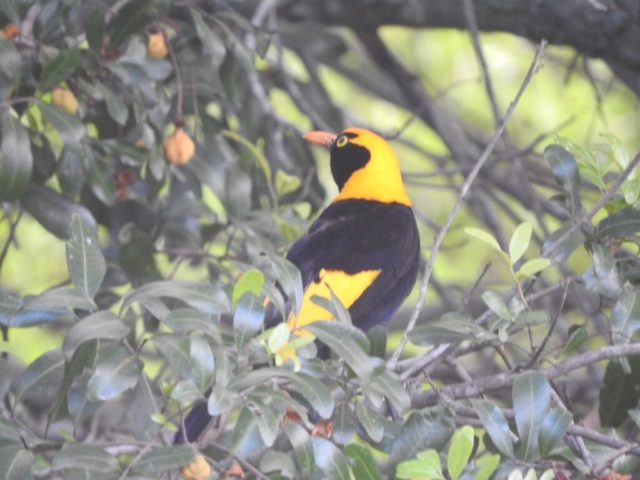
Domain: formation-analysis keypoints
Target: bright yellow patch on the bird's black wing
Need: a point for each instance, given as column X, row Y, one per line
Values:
column 348, row 288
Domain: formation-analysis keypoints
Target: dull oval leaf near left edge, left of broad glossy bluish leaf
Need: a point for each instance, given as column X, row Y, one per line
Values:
column 41, row 377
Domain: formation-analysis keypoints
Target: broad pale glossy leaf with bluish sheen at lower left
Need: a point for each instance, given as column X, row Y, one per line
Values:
column 117, row 371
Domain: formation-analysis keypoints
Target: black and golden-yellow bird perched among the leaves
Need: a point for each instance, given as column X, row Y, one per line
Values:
column 364, row 246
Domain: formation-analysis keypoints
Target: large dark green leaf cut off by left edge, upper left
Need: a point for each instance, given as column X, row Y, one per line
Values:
column 16, row 159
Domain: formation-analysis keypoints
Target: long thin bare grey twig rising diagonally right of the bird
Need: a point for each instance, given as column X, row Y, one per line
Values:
column 463, row 193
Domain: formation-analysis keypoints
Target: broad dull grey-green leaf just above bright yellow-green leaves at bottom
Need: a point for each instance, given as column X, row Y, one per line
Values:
column 422, row 431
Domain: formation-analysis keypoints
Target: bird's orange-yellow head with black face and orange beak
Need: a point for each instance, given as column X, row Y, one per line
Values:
column 363, row 165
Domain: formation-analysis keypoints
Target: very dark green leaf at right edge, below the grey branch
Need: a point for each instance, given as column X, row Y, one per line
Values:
column 620, row 392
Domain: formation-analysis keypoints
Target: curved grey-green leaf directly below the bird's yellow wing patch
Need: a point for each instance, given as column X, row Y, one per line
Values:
column 340, row 338
